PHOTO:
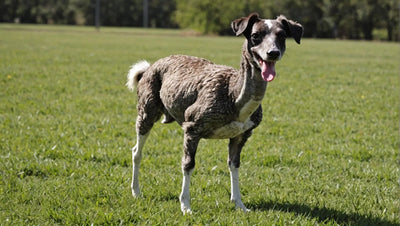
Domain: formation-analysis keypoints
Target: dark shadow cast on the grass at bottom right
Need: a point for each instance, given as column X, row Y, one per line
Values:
column 320, row 214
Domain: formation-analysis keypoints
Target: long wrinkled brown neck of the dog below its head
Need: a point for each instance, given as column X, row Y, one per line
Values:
column 249, row 85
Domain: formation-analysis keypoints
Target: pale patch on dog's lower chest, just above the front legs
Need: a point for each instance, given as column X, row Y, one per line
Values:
column 232, row 129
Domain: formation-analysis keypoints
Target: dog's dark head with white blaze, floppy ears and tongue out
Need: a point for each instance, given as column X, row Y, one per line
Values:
column 266, row 40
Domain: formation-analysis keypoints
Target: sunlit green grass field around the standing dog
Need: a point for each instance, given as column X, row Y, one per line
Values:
column 325, row 153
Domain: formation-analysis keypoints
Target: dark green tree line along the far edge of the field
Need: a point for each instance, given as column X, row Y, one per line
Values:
column 352, row 19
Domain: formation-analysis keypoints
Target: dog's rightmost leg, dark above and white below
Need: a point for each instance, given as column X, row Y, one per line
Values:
column 235, row 147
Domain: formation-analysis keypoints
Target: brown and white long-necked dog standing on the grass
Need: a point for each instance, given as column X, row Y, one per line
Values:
column 210, row 101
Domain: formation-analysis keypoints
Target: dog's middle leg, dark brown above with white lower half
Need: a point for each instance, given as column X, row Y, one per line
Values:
column 188, row 162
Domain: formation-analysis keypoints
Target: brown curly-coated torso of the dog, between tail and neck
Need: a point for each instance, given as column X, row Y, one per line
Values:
column 180, row 82
